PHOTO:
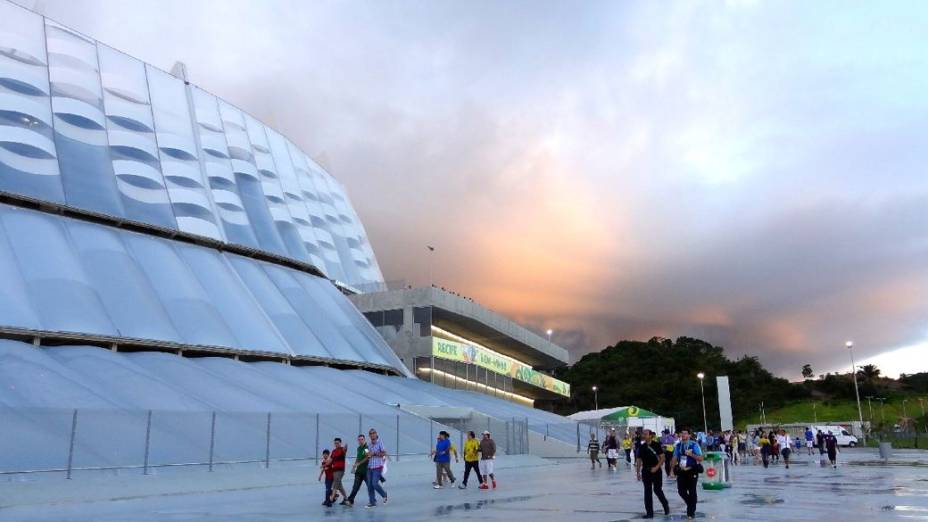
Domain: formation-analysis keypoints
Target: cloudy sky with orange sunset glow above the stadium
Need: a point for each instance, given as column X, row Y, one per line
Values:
column 751, row 173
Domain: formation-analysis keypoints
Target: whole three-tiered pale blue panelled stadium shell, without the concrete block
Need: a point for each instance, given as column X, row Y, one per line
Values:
column 174, row 281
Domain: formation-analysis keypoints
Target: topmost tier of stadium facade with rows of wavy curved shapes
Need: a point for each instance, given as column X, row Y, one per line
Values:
column 145, row 137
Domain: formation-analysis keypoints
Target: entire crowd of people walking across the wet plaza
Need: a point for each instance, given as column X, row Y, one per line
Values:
column 678, row 456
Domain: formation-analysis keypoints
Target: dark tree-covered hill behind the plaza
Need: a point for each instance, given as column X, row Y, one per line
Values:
column 660, row 375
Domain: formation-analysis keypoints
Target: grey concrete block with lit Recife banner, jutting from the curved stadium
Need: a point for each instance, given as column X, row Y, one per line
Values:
column 453, row 341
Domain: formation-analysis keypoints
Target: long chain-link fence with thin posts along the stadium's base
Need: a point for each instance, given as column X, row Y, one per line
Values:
column 64, row 440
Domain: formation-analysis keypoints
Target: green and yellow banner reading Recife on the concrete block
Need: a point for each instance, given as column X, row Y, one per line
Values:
column 470, row 354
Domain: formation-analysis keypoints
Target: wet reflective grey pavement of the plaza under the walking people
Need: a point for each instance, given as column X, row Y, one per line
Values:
column 860, row 489
